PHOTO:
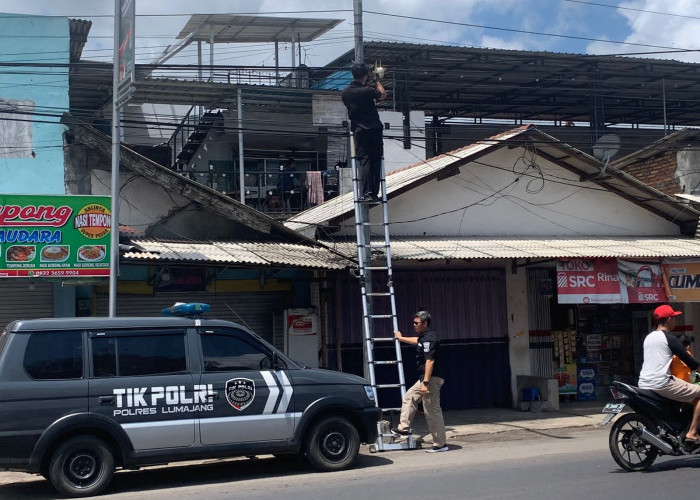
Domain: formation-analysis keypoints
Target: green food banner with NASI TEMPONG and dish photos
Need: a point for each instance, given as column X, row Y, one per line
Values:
column 54, row 236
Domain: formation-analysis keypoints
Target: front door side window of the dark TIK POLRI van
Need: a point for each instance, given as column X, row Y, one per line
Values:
column 232, row 352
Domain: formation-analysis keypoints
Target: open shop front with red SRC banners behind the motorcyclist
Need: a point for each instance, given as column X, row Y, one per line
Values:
column 588, row 318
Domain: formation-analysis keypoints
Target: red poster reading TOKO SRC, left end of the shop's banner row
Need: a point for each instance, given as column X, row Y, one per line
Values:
column 588, row 281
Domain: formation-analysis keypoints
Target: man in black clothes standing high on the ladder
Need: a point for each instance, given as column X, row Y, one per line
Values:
column 366, row 127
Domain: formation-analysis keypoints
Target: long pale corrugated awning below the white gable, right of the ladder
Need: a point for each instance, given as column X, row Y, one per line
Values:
column 439, row 248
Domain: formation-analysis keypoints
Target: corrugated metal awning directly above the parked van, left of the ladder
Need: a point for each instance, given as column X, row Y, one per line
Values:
column 241, row 253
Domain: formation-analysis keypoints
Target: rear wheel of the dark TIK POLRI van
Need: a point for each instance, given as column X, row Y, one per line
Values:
column 82, row 466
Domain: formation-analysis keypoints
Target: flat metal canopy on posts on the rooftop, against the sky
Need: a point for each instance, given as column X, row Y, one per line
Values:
column 226, row 28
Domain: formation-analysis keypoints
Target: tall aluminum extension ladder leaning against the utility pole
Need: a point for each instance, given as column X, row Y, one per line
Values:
column 377, row 350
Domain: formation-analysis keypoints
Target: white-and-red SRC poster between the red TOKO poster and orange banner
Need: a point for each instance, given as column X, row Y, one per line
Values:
column 641, row 283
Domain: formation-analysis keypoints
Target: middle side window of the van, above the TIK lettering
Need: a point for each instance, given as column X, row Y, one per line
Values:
column 130, row 355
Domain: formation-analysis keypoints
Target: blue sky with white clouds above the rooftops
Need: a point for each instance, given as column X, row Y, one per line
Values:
column 667, row 29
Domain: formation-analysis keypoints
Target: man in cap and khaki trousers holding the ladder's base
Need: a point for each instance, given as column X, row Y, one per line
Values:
column 430, row 380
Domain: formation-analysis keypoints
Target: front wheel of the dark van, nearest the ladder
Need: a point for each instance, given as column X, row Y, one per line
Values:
column 333, row 444
